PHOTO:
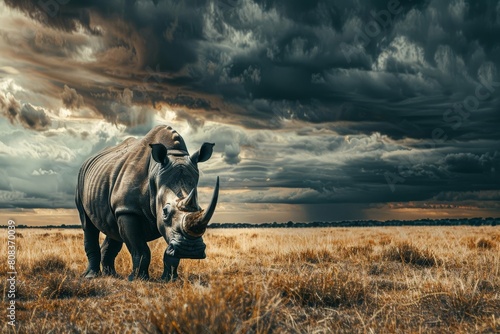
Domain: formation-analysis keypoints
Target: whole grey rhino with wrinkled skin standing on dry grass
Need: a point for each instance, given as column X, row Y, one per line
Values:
column 139, row 191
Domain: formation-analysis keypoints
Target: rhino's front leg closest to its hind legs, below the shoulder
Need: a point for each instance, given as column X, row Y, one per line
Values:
column 133, row 236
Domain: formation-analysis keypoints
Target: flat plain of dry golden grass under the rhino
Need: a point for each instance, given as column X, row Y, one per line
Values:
column 331, row 280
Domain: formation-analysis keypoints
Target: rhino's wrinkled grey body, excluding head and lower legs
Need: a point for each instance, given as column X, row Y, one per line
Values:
column 116, row 181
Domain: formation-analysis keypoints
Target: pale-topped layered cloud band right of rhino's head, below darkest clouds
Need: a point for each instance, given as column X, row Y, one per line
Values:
column 317, row 166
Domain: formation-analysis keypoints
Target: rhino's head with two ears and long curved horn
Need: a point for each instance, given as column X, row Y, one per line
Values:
column 180, row 219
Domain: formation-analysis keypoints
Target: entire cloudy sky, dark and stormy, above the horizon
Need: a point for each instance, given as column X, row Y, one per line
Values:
column 320, row 110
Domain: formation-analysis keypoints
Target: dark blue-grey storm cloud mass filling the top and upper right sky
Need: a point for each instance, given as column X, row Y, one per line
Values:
column 320, row 61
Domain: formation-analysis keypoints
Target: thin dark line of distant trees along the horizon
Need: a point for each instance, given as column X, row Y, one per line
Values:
column 345, row 223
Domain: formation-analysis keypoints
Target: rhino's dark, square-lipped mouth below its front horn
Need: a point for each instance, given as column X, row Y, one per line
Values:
column 186, row 247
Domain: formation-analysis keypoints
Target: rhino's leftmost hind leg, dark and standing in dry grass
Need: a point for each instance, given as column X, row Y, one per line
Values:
column 92, row 249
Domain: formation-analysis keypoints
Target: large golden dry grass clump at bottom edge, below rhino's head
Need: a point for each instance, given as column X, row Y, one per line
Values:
column 240, row 307
